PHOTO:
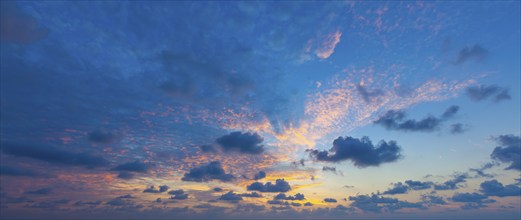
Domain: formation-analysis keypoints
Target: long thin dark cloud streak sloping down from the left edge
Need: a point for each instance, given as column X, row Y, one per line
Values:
column 53, row 155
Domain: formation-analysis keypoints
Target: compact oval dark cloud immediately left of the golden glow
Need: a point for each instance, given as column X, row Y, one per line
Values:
column 242, row 142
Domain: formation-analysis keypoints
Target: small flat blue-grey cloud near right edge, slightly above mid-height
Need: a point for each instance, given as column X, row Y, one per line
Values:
column 483, row 92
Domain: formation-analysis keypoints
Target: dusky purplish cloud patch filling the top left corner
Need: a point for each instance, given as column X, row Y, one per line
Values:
column 18, row 27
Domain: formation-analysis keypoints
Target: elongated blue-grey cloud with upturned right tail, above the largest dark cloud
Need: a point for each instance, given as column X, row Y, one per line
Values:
column 395, row 120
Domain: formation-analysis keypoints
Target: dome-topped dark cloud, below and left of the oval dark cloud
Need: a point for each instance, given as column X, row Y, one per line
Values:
column 211, row 171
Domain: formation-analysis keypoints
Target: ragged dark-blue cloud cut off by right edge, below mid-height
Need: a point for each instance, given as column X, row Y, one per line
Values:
column 509, row 151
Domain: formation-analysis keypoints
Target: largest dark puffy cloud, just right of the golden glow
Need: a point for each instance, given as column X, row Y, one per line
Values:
column 361, row 151
